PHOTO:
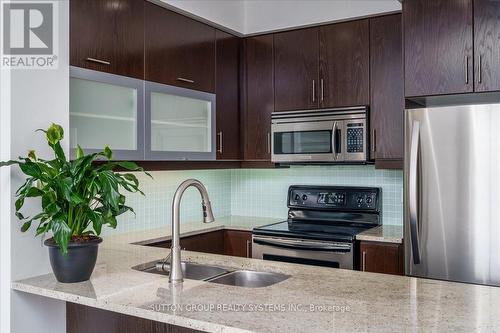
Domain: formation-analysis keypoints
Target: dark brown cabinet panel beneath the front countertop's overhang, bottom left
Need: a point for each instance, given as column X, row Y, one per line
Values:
column 84, row 319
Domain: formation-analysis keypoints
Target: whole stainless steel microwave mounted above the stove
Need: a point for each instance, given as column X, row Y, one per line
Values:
column 321, row 136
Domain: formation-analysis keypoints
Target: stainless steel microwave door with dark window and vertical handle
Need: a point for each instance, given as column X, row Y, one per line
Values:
column 318, row 141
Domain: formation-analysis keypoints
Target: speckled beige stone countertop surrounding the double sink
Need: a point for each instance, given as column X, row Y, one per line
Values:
column 313, row 299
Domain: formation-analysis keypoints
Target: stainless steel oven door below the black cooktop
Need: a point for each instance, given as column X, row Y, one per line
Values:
column 301, row 251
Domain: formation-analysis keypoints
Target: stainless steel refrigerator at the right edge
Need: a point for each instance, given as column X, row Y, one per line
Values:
column 452, row 193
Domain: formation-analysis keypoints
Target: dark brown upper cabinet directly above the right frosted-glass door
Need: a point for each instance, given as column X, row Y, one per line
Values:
column 179, row 51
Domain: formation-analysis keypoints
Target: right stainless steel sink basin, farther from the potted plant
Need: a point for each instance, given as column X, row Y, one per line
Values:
column 250, row 279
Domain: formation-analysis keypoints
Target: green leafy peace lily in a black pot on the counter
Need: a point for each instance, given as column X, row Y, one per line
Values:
column 77, row 197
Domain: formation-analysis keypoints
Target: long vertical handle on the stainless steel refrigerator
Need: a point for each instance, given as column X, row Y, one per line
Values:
column 413, row 191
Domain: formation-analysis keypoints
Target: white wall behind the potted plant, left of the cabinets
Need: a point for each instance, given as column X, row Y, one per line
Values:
column 38, row 98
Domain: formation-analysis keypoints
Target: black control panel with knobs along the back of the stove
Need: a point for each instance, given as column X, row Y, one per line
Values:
column 335, row 197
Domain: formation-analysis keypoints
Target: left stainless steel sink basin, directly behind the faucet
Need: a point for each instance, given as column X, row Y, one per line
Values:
column 189, row 270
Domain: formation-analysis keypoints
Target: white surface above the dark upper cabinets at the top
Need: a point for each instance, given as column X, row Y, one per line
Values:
column 247, row 17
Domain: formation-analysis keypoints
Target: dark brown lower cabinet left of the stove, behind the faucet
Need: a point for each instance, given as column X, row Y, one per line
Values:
column 228, row 242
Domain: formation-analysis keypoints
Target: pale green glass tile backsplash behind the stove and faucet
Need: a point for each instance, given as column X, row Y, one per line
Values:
column 251, row 192
